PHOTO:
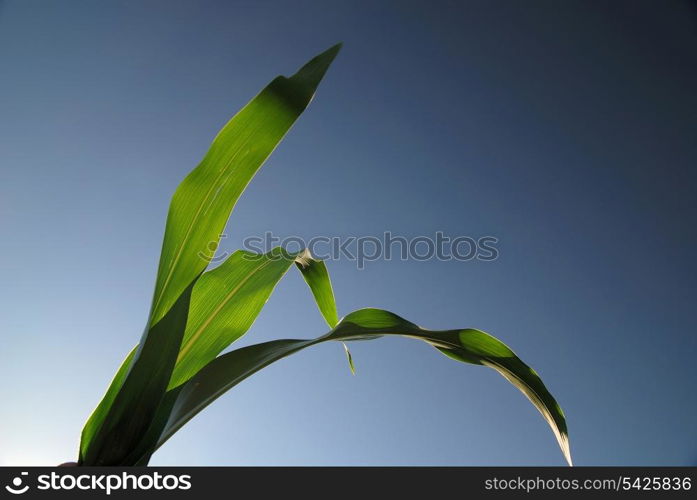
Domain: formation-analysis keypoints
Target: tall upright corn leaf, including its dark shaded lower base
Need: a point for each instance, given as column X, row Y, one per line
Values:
column 197, row 216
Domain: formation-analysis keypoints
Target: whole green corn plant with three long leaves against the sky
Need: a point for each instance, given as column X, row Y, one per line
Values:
column 176, row 369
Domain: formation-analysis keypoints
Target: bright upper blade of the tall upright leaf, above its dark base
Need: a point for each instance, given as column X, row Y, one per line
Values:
column 203, row 201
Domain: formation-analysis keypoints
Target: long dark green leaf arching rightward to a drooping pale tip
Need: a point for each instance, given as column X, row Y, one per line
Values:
column 468, row 345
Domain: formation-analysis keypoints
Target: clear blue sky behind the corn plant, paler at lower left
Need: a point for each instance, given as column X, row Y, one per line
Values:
column 565, row 129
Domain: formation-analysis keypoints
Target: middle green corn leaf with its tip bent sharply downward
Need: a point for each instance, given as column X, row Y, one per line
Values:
column 224, row 304
